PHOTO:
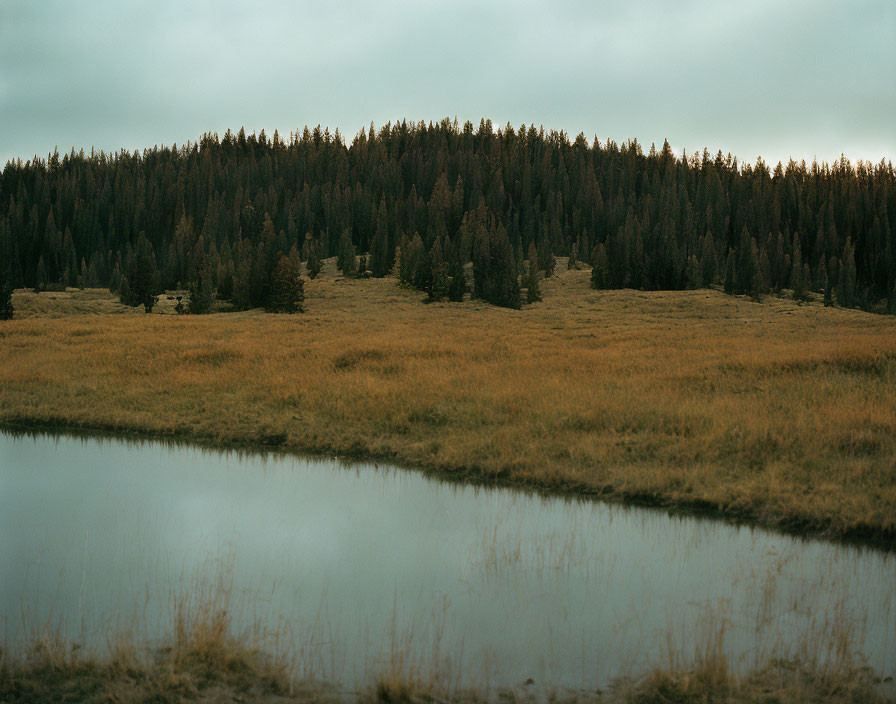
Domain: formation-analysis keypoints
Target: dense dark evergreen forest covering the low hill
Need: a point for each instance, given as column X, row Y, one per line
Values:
column 220, row 216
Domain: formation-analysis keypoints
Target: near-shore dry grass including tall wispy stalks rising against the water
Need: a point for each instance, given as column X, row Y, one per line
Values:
column 204, row 658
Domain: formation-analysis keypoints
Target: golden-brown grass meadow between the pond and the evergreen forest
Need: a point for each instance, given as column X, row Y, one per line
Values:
column 776, row 413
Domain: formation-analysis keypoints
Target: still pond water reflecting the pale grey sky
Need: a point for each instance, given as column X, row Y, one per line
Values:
column 354, row 571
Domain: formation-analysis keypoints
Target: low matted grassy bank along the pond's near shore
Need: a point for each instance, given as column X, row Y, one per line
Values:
column 209, row 665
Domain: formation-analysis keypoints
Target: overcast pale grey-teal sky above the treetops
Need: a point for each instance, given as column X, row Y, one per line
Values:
column 776, row 78
